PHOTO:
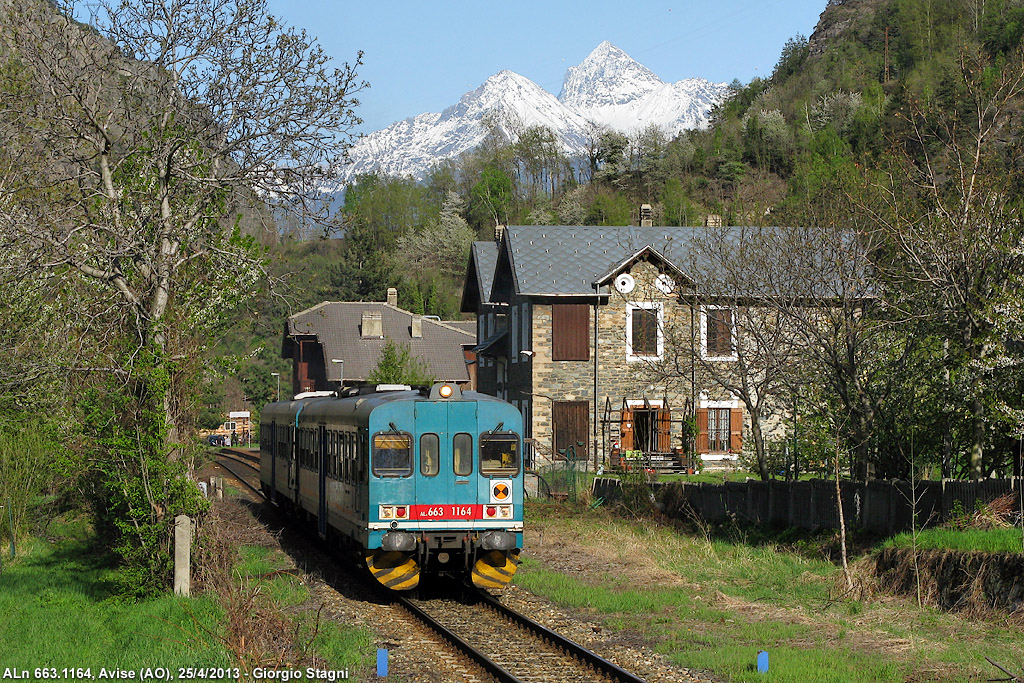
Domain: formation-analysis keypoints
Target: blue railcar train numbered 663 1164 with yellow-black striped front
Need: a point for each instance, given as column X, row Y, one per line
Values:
column 419, row 480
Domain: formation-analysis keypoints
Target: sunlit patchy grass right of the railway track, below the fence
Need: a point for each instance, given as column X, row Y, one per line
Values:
column 738, row 593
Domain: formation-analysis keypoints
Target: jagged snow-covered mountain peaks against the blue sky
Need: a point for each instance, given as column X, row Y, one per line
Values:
column 609, row 89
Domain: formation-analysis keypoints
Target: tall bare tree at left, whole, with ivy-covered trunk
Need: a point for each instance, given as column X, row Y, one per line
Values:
column 134, row 152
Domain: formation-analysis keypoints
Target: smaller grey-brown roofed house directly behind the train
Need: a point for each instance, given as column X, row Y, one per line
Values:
column 337, row 344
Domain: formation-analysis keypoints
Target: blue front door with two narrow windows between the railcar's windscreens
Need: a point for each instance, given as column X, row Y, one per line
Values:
column 447, row 461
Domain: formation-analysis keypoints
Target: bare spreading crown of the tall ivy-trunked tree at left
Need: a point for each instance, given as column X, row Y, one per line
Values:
column 133, row 150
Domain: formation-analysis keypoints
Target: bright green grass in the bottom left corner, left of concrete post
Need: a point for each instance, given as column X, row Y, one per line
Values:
column 60, row 611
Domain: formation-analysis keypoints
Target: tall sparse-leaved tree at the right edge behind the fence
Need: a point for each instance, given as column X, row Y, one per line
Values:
column 951, row 219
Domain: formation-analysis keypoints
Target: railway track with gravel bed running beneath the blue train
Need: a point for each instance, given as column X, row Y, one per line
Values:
column 497, row 643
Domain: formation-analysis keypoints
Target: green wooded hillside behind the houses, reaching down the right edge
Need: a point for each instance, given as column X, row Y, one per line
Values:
column 898, row 119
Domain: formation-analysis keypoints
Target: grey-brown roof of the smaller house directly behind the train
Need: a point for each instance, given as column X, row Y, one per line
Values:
column 337, row 327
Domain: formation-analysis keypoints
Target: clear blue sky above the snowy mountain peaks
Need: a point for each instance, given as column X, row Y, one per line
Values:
column 422, row 57
